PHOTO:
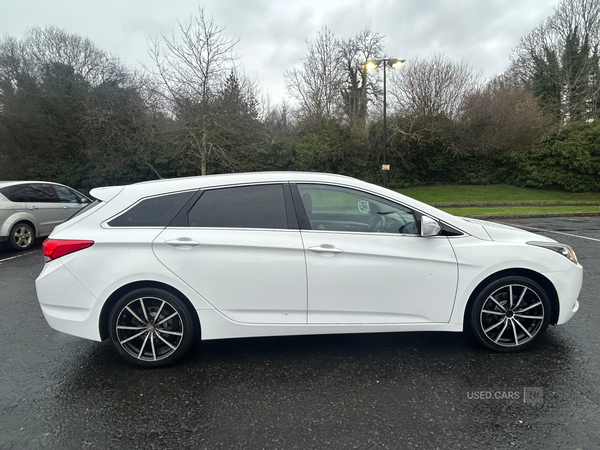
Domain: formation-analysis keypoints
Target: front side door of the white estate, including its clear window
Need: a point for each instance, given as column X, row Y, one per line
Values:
column 367, row 262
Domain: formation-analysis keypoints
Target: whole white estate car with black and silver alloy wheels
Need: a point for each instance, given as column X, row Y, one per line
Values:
column 151, row 265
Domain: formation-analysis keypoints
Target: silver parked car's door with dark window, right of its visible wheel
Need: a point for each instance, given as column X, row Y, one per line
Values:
column 44, row 206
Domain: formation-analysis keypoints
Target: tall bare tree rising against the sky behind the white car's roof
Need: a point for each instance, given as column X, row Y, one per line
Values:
column 191, row 69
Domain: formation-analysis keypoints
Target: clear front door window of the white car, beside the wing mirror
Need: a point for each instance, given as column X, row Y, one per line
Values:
column 336, row 208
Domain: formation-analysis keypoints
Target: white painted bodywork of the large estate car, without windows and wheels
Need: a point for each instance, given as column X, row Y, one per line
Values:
column 249, row 282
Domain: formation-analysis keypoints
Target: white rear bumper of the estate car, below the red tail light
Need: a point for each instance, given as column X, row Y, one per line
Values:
column 77, row 313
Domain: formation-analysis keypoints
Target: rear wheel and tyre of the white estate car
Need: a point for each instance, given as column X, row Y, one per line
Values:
column 151, row 327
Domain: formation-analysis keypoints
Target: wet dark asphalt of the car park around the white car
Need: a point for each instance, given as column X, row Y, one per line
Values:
column 375, row 391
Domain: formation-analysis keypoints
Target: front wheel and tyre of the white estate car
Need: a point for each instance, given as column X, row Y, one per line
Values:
column 510, row 314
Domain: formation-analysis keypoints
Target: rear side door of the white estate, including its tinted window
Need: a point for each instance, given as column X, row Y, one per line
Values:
column 240, row 248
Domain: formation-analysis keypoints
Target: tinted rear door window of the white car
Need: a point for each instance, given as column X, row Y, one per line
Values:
column 241, row 207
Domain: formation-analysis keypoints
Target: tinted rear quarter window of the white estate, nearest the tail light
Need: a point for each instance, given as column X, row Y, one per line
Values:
column 153, row 212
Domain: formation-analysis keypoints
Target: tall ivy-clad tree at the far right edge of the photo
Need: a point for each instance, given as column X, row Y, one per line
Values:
column 558, row 61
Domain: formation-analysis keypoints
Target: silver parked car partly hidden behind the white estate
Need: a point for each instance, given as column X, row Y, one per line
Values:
column 31, row 209
